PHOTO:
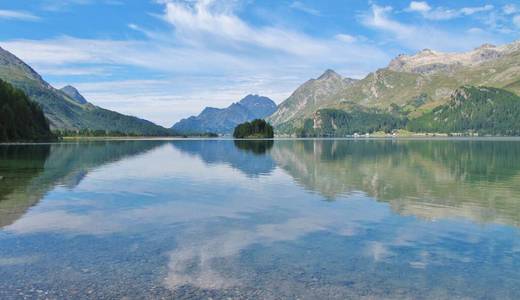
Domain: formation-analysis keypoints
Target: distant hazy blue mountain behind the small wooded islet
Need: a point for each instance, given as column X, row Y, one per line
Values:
column 224, row 120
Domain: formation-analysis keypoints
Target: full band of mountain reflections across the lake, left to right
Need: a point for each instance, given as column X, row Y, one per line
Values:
column 475, row 179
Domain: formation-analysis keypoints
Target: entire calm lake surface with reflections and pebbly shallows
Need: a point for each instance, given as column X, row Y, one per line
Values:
column 285, row 219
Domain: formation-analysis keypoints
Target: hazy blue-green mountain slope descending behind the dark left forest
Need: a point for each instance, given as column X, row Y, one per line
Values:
column 67, row 109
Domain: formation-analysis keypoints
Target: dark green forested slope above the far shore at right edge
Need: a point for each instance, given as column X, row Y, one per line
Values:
column 480, row 110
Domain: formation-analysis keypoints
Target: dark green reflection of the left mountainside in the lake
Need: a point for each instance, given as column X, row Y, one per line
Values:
column 27, row 172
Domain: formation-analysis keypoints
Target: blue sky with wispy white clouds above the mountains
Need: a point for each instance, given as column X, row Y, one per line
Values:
column 167, row 59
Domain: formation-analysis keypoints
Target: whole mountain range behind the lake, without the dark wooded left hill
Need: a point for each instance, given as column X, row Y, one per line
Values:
column 475, row 92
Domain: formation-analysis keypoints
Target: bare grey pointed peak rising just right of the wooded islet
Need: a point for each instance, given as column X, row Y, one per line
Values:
column 310, row 96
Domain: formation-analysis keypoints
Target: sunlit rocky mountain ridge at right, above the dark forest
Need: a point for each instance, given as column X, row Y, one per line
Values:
column 413, row 84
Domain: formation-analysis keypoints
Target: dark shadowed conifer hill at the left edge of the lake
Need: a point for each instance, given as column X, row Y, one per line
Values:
column 20, row 118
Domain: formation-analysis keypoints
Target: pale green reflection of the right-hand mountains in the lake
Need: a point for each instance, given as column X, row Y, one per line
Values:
column 477, row 180
